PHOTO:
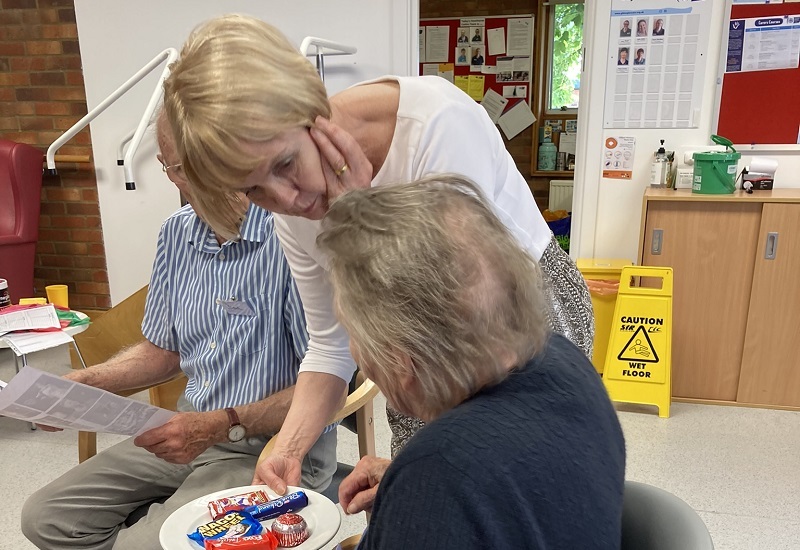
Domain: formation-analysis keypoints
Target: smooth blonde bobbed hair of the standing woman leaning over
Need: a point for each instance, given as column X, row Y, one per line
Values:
column 238, row 79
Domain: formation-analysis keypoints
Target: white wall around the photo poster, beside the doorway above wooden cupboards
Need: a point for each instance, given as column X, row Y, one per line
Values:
column 606, row 212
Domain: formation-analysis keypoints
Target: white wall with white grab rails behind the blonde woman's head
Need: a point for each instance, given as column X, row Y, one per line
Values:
column 118, row 37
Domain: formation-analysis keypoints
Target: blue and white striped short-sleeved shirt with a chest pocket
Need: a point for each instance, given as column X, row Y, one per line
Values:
column 232, row 312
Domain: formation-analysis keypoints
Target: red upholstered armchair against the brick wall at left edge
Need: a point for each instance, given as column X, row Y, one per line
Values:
column 20, row 192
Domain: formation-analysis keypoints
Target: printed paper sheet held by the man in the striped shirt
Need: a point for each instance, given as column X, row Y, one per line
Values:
column 44, row 398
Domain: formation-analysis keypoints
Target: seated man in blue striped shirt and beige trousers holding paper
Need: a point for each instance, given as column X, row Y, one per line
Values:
column 227, row 314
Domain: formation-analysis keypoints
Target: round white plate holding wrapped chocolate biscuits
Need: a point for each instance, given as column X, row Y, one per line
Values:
column 321, row 515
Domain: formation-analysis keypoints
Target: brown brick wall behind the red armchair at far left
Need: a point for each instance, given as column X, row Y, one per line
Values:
column 41, row 95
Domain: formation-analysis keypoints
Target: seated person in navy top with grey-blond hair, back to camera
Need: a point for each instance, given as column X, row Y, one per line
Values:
column 445, row 313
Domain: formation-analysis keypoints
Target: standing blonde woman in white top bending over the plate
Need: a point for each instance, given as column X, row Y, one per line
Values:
column 250, row 114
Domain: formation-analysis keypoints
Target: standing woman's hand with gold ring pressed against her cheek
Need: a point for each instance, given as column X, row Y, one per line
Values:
column 344, row 163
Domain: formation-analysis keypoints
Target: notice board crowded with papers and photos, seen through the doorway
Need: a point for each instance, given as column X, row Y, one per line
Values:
column 496, row 51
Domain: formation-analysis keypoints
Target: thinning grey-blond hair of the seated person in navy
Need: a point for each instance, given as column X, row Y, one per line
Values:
column 427, row 270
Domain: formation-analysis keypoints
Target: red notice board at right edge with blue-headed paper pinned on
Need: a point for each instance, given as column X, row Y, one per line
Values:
column 758, row 107
